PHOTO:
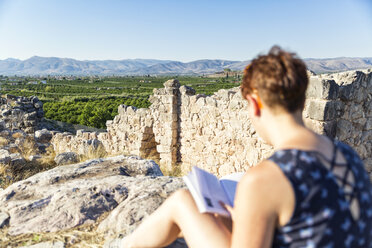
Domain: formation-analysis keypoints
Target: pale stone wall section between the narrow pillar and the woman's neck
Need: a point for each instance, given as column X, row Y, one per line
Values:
column 216, row 132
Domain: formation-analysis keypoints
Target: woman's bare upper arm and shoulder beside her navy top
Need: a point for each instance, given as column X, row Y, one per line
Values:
column 264, row 199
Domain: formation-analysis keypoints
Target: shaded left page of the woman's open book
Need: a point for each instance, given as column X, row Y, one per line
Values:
column 212, row 192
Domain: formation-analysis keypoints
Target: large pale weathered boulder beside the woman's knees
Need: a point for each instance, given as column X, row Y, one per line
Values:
column 73, row 195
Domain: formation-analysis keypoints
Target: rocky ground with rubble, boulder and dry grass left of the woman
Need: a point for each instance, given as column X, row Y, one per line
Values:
column 56, row 200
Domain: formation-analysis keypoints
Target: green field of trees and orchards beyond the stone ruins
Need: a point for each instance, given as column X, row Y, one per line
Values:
column 91, row 101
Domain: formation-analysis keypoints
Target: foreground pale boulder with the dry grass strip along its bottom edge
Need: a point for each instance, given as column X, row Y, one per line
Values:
column 83, row 205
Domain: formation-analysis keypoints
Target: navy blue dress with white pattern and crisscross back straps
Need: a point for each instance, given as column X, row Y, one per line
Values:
column 323, row 215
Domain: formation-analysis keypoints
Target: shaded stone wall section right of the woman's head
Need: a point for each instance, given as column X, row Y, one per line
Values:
column 340, row 105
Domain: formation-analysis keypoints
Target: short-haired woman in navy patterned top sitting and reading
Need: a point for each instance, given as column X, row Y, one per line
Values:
column 312, row 192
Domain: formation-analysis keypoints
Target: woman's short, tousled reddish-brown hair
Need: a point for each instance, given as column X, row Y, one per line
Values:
column 279, row 77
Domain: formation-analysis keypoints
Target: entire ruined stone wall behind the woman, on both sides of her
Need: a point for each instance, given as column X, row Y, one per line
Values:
column 215, row 133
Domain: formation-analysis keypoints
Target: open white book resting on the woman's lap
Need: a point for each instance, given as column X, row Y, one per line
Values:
column 208, row 191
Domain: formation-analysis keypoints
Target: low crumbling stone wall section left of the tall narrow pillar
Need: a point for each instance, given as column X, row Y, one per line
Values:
column 129, row 133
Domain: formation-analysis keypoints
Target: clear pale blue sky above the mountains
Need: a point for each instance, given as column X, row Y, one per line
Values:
column 184, row 30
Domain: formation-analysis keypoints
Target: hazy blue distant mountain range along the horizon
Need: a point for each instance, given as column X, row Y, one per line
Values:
column 65, row 66
